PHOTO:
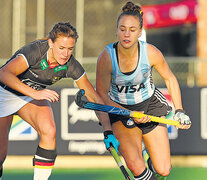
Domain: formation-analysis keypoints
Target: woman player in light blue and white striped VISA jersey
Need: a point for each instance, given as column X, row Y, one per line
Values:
column 124, row 79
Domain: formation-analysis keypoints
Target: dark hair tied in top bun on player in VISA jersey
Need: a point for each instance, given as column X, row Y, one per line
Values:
column 132, row 9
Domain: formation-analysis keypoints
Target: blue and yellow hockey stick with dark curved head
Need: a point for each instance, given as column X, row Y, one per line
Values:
column 118, row 111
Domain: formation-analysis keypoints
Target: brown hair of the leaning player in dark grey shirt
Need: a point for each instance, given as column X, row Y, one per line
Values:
column 63, row 29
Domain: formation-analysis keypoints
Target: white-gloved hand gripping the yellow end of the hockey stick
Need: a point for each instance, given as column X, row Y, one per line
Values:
column 184, row 119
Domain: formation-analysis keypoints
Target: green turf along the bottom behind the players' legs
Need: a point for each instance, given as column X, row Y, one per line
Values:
column 177, row 173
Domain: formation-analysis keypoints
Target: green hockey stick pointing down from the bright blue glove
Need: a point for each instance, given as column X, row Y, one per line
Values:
column 119, row 162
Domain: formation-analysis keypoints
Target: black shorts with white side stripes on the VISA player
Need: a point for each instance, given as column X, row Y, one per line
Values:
column 156, row 105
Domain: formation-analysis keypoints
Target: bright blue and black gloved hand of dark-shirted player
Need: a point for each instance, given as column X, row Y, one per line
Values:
column 110, row 139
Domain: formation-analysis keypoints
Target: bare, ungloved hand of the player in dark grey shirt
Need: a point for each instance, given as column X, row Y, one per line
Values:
column 46, row 94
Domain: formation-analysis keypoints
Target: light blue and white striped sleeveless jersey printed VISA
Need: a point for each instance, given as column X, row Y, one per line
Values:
column 136, row 87
